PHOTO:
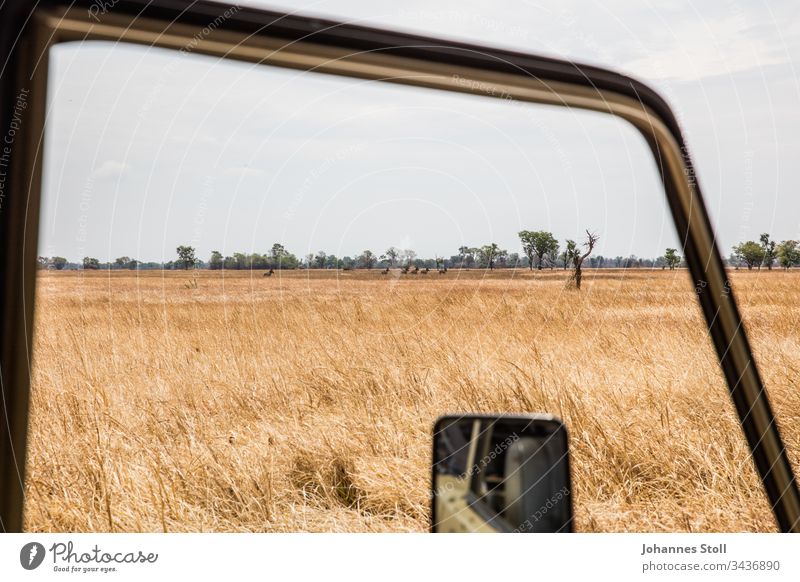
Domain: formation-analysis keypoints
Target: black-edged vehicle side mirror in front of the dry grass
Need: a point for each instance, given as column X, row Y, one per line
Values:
column 501, row 474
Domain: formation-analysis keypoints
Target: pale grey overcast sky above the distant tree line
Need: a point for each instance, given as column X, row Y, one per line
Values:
column 148, row 149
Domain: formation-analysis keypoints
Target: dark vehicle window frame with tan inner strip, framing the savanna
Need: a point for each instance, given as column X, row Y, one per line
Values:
column 259, row 36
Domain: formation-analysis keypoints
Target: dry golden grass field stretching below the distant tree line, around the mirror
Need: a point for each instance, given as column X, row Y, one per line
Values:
column 304, row 401
